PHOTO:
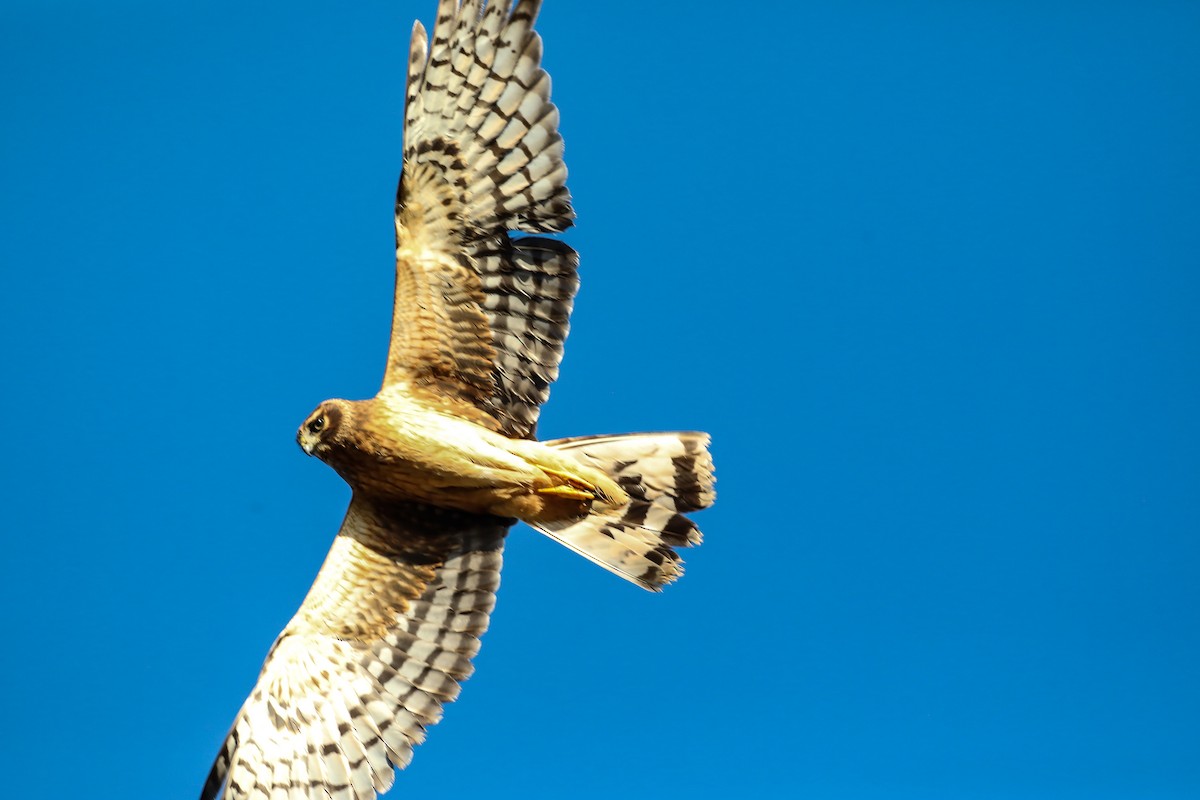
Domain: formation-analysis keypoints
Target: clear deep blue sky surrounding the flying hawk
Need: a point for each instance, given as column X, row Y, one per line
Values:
column 928, row 272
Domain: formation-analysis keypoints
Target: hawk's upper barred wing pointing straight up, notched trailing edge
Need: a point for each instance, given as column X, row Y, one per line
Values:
column 479, row 316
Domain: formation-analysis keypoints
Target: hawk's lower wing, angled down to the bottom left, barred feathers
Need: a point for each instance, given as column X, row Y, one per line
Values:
column 380, row 645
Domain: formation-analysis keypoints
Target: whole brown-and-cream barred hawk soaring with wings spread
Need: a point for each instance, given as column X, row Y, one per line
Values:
column 443, row 461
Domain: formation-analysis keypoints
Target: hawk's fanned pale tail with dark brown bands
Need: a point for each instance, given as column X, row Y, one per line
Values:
column 667, row 476
